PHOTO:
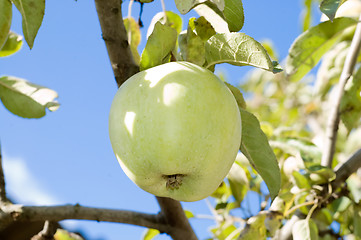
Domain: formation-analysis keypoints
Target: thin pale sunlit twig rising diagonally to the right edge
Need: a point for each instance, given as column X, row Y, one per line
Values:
column 334, row 118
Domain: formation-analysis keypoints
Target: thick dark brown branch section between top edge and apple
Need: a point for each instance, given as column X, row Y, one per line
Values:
column 115, row 38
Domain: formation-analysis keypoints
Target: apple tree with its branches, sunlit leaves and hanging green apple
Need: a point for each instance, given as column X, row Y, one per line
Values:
column 299, row 125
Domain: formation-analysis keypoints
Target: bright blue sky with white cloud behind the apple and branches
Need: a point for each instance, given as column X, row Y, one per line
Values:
column 66, row 156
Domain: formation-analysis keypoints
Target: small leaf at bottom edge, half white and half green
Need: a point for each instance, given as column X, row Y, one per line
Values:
column 305, row 229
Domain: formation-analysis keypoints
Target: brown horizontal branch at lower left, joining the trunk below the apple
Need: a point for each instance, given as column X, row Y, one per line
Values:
column 13, row 212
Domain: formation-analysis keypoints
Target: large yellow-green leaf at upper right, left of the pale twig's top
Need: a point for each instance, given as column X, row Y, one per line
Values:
column 308, row 48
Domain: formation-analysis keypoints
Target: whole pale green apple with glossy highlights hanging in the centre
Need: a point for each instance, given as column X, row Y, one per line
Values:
column 175, row 130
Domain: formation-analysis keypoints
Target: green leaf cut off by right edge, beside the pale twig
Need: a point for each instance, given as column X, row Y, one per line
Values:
column 350, row 107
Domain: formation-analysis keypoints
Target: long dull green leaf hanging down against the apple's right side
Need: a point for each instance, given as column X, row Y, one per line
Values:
column 256, row 148
